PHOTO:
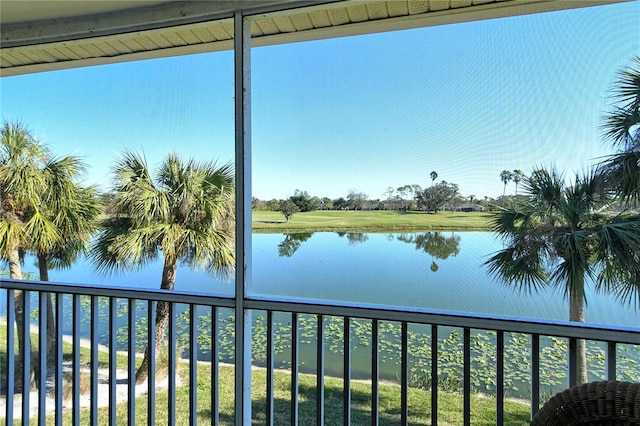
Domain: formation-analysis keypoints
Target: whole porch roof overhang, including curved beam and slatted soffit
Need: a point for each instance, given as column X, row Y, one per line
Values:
column 49, row 35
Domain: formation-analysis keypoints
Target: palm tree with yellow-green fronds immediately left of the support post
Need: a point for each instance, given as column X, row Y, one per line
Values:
column 184, row 213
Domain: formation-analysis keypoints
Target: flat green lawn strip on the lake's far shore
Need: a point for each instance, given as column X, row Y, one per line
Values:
column 377, row 220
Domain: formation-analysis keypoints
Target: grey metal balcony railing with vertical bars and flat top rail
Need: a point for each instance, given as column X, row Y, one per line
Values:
column 100, row 314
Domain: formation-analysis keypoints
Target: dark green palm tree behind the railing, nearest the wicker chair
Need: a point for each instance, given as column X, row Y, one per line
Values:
column 560, row 238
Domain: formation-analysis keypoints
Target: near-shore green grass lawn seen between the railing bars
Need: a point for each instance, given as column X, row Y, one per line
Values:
column 450, row 404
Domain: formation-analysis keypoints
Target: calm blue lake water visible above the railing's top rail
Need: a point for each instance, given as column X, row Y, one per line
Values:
column 420, row 270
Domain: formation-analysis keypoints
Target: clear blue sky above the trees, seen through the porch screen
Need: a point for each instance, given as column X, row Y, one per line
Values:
column 364, row 113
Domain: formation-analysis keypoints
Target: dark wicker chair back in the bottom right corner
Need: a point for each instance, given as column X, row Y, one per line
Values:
column 595, row 403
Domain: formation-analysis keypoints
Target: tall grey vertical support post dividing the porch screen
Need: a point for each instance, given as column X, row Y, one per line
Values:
column 242, row 77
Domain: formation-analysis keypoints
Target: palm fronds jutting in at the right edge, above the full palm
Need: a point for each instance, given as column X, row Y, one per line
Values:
column 622, row 130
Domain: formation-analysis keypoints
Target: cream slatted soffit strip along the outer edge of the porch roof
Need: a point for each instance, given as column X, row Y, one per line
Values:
column 317, row 21
